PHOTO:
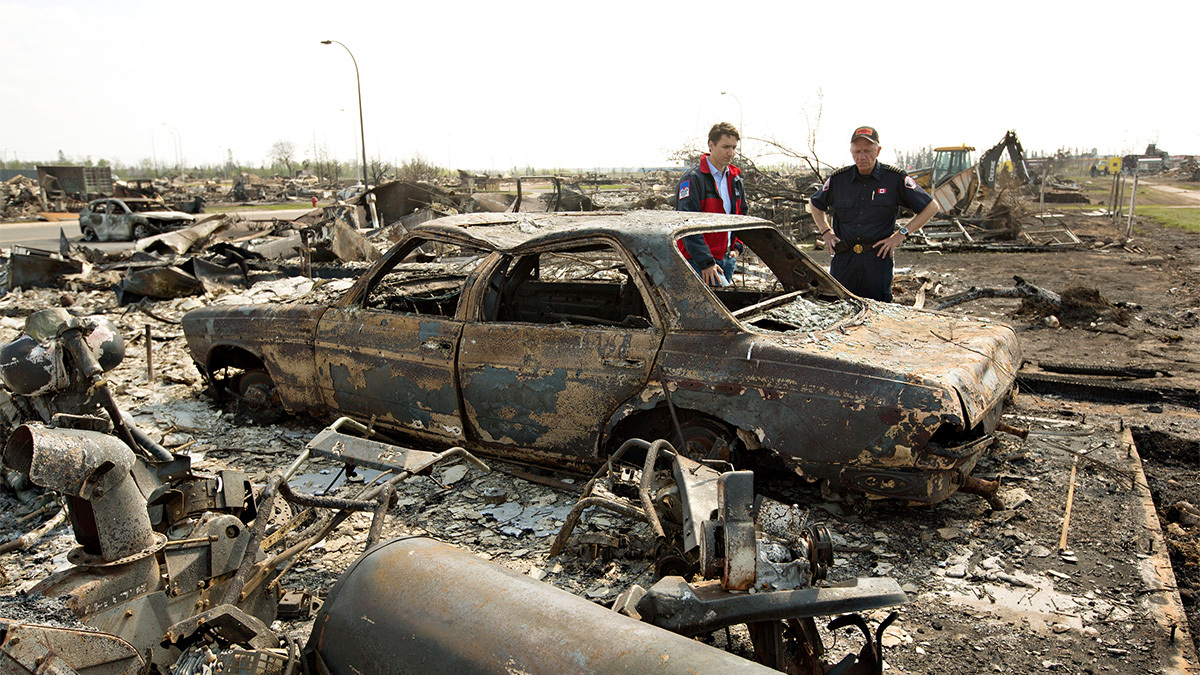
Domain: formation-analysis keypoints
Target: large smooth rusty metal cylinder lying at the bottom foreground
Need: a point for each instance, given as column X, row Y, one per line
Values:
column 422, row 606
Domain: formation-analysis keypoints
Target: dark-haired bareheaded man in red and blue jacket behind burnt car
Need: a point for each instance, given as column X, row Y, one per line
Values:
column 713, row 187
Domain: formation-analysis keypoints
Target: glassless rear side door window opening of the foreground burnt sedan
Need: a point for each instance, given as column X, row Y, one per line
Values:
column 581, row 286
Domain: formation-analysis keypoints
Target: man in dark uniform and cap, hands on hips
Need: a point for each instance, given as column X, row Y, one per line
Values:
column 866, row 199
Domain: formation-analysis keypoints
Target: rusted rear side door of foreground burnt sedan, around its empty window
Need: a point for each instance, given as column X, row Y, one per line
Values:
column 536, row 390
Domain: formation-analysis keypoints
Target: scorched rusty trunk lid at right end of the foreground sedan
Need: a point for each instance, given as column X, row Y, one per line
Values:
column 976, row 359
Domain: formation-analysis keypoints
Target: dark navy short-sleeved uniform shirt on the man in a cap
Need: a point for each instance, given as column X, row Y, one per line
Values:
column 866, row 207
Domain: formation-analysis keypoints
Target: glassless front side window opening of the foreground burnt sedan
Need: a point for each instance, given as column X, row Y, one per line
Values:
column 429, row 280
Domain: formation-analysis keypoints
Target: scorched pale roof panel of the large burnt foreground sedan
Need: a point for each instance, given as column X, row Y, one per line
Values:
column 514, row 231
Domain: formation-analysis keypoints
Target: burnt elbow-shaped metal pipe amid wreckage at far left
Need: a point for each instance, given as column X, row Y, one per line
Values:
column 111, row 513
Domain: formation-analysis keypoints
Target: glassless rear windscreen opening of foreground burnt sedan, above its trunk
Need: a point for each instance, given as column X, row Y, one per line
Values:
column 781, row 290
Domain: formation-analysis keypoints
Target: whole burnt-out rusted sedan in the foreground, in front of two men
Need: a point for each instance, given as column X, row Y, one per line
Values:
column 553, row 338
